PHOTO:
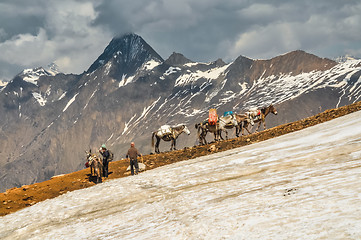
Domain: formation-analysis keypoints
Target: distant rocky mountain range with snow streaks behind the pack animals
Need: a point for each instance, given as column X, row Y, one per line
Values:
column 48, row 119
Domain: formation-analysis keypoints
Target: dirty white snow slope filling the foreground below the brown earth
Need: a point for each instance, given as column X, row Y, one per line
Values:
column 303, row 185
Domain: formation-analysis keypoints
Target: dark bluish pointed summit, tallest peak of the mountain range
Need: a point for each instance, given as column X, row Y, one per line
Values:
column 127, row 52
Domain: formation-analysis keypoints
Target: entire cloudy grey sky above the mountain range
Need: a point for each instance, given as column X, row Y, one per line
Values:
column 73, row 33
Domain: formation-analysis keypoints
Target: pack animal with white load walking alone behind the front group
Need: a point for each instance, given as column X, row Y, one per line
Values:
column 168, row 133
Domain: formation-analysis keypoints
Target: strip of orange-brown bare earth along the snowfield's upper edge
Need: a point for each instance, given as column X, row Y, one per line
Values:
column 17, row 198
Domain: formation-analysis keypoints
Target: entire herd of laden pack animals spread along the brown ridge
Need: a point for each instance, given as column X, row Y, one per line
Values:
column 167, row 133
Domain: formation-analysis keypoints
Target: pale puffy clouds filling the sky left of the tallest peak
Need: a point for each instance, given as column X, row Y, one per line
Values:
column 64, row 35
